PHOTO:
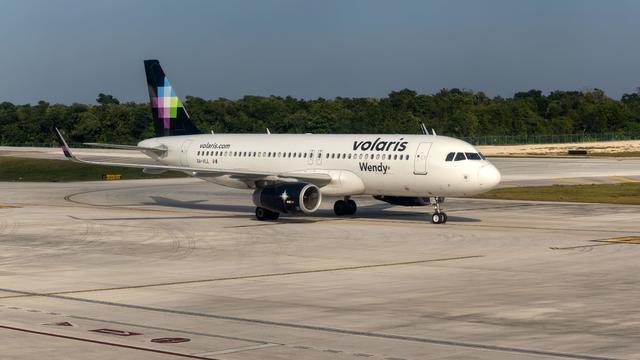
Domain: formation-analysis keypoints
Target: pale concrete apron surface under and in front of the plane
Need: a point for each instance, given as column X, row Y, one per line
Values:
column 179, row 268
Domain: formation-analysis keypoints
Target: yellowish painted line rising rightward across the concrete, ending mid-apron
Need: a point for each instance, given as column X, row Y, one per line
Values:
column 255, row 276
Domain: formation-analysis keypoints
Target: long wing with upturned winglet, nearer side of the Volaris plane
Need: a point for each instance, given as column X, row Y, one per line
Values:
column 318, row 179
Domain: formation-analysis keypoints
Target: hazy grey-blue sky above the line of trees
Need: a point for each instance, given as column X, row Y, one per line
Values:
column 69, row 51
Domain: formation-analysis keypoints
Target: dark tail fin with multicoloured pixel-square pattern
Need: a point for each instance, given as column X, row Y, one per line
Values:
column 169, row 115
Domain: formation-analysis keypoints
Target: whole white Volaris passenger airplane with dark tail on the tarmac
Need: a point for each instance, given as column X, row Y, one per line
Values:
column 290, row 173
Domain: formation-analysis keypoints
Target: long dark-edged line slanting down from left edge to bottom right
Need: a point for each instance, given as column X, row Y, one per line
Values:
column 436, row 341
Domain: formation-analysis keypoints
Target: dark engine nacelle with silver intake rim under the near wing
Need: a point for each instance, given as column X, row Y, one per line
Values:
column 288, row 197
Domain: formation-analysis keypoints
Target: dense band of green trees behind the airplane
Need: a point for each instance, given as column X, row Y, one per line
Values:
column 452, row 112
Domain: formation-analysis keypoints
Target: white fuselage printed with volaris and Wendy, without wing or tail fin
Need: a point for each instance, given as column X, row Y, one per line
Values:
column 392, row 165
